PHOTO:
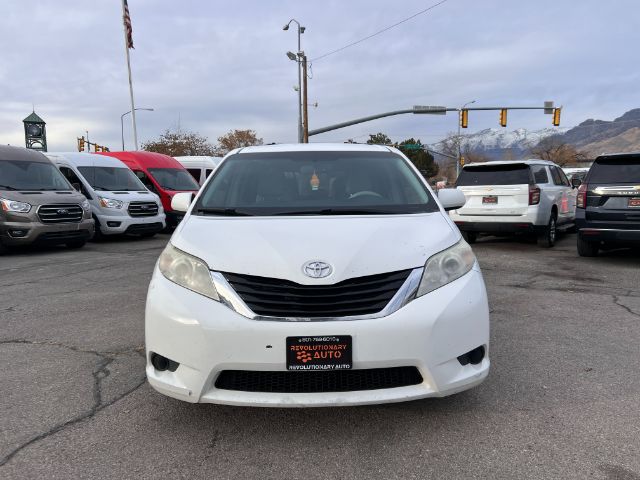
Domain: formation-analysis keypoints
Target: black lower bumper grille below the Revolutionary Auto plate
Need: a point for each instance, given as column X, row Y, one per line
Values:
column 318, row 382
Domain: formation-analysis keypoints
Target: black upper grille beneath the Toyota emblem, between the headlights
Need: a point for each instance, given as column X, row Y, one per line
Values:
column 282, row 298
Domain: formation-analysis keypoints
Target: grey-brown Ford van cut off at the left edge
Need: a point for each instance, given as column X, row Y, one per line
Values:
column 37, row 204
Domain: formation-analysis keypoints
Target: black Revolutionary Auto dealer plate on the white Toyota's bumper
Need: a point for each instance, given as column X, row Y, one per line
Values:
column 332, row 352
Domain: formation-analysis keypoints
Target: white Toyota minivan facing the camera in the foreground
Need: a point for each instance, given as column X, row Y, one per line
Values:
column 316, row 275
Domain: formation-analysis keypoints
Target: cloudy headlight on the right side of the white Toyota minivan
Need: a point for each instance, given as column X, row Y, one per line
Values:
column 446, row 266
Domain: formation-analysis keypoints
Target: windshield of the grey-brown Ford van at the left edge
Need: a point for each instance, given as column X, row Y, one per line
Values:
column 26, row 175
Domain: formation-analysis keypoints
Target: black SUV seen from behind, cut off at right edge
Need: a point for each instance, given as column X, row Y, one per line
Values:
column 608, row 204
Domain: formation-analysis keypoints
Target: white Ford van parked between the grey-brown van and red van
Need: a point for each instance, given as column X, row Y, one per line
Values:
column 120, row 203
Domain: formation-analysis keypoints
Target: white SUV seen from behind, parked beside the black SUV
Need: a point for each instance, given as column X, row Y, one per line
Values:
column 531, row 196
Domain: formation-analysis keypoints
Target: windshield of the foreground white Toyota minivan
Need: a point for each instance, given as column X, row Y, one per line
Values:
column 314, row 183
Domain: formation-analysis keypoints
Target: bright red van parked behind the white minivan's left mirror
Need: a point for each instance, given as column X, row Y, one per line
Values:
column 161, row 174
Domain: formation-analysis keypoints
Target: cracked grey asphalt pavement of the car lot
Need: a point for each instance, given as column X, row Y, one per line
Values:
column 562, row 400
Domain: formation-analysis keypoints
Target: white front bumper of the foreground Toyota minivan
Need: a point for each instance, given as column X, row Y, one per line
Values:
column 205, row 337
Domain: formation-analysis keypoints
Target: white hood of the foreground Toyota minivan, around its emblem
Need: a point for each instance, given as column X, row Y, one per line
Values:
column 279, row 247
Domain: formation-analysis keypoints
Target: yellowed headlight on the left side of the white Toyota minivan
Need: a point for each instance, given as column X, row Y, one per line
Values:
column 187, row 271
